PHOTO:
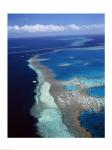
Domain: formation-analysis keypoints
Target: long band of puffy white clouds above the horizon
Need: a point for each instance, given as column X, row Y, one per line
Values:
column 52, row 28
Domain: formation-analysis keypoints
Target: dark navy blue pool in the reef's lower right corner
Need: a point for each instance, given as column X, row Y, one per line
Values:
column 94, row 122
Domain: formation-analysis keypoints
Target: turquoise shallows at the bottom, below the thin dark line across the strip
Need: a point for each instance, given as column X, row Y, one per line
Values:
column 50, row 124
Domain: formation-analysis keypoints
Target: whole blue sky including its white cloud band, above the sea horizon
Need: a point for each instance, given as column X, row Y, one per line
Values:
column 32, row 25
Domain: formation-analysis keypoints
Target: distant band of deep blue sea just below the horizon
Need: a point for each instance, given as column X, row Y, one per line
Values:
column 51, row 42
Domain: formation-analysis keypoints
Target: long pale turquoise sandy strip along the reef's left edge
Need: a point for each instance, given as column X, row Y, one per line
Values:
column 50, row 123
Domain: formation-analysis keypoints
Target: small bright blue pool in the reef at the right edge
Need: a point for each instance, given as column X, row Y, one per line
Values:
column 96, row 91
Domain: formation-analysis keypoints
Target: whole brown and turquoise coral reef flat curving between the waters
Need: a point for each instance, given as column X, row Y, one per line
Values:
column 58, row 109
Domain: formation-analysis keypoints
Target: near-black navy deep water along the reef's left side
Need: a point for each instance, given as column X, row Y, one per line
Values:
column 20, row 98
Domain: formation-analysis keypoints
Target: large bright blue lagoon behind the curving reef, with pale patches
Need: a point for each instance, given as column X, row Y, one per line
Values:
column 86, row 63
